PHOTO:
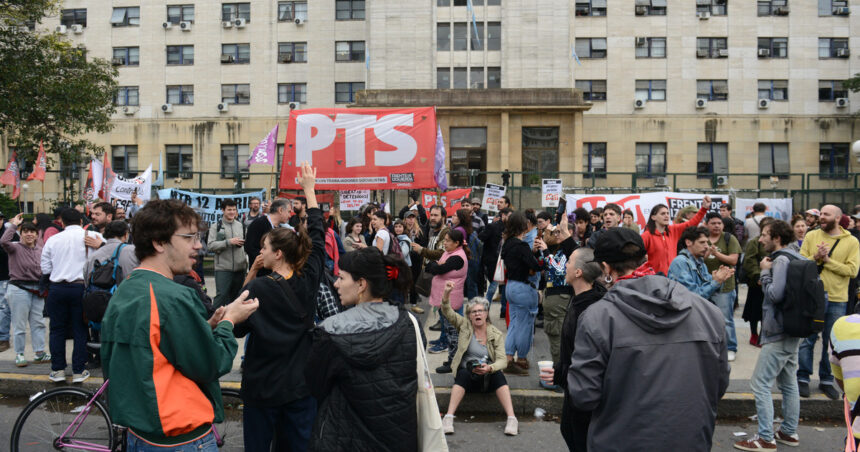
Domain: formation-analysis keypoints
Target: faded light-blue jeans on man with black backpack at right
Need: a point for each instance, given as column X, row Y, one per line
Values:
column 776, row 361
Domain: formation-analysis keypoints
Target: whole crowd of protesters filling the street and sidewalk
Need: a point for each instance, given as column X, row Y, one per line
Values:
column 640, row 324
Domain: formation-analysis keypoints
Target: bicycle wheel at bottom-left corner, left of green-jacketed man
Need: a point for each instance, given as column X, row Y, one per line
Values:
column 46, row 418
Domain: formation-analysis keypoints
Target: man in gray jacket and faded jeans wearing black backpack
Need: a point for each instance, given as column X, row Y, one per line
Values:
column 778, row 357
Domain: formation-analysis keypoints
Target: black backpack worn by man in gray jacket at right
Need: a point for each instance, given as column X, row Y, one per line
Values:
column 804, row 303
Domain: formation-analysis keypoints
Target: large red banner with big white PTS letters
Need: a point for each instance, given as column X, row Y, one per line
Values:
column 356, row 149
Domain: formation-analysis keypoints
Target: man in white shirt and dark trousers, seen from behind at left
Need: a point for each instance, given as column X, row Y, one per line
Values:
column 63, row 257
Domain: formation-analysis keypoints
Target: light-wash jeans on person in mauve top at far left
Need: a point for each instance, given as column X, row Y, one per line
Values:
column 26, row 308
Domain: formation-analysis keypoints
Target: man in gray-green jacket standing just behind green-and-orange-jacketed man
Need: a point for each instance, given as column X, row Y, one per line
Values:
column 226, row 240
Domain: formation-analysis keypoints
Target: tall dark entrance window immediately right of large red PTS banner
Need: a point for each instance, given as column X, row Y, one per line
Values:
column 468, row 152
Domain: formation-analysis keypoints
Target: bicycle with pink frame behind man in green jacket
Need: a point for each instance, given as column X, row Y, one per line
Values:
column 71, row 418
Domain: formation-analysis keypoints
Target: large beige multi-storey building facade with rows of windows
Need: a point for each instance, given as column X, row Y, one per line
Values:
column 718, row 94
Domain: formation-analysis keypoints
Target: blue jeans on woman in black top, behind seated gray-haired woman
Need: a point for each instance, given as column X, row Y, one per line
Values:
column 523, row 303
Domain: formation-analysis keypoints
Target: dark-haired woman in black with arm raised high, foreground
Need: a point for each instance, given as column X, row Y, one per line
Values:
column 277, row 402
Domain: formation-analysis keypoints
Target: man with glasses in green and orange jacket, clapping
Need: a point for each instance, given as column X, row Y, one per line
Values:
column 161, row 354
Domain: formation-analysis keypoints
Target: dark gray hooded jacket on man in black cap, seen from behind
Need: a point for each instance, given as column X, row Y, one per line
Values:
column 650, row 362
